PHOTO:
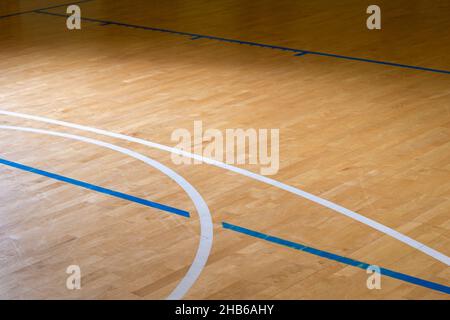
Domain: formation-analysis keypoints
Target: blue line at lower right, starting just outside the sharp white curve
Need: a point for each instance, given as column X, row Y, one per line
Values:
column 338, row 258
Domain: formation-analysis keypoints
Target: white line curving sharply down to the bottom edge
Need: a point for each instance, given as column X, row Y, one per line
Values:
column 206, row 226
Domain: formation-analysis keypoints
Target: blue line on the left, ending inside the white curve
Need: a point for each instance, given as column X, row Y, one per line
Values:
column 92, row 187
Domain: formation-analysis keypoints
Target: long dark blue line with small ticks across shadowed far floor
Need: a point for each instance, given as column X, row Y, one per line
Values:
column 298, row 52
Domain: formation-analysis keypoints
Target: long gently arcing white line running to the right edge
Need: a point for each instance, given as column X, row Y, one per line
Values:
column 323, row 202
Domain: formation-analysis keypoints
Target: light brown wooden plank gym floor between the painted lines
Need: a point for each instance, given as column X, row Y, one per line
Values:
column 371, row 137
